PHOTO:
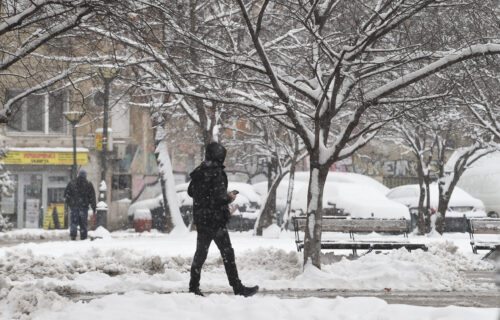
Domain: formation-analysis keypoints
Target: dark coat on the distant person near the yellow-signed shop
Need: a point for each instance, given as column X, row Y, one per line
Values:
column 80, row 193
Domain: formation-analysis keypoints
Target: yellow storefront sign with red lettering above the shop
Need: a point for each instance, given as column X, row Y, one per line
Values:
column 44, row 158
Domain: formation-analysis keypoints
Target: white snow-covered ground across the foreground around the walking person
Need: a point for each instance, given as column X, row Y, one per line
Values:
column 130, row 270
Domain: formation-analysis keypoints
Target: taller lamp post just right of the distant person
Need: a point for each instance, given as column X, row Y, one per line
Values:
column 107, row 74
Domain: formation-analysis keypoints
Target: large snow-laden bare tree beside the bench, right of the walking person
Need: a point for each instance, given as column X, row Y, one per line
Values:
column 326, row 66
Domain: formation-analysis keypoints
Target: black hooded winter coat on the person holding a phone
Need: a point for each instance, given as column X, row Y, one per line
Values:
column 208, row 188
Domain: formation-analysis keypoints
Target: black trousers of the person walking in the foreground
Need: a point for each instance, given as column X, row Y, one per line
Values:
column 221, row 238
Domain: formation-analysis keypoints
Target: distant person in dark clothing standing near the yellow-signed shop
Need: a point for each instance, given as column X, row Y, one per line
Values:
column 79, row 195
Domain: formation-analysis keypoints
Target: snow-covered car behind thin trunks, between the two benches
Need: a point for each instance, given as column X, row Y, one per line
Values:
column 461, row 203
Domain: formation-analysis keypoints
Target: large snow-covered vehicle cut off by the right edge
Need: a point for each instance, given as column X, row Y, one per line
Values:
column 482, row 181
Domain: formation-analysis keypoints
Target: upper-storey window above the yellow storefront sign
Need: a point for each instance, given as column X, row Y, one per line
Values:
column 40, row 113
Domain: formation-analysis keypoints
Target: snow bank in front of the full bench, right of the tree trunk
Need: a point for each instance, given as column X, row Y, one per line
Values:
column 438, row 269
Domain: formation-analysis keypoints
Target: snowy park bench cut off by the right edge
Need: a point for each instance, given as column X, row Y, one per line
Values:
column 484, row 226
